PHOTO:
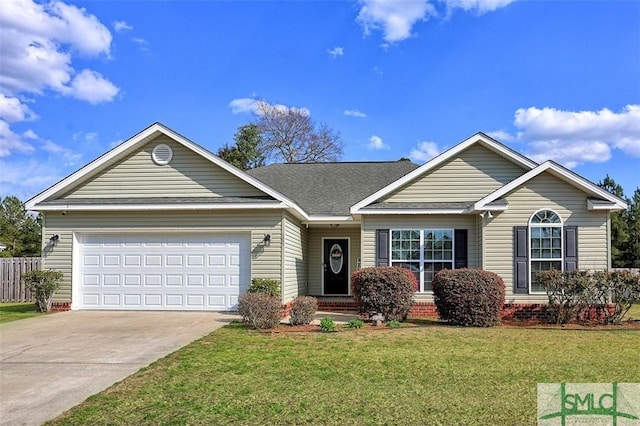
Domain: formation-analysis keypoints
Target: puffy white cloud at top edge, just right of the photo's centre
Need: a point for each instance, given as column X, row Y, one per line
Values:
column 394, row 18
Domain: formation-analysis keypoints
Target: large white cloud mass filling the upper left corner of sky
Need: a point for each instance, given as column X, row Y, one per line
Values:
column 39, row 42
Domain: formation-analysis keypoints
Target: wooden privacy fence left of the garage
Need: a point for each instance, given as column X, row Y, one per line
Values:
column 12, row 289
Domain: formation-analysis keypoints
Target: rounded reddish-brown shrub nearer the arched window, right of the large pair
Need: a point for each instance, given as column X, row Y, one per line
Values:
column 469, row 297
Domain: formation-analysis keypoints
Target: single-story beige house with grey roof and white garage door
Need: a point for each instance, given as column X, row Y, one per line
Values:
column 160, row 223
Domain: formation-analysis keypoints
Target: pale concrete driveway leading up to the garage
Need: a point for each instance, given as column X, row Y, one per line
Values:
column 51, row 363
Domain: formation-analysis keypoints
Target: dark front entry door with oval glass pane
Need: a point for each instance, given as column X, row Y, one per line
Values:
column 336, row 266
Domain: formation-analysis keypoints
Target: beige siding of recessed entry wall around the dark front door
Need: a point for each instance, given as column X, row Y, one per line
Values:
column 316, row 270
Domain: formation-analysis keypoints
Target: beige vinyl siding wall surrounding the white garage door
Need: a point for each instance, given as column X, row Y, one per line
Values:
column 265, row 260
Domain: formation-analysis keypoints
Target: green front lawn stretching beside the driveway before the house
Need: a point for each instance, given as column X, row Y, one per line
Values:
column 432, row 375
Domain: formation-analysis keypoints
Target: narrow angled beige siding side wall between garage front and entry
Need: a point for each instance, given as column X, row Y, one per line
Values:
column 295, row 244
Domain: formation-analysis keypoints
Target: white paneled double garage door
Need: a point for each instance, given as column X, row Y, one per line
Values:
column 154, row 272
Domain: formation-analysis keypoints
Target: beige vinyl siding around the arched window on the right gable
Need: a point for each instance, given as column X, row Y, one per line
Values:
column 545, row 192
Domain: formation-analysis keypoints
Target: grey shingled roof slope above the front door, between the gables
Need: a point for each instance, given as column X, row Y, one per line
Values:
column 330, row 189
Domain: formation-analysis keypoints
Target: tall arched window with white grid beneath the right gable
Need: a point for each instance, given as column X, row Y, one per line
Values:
column 546, row 246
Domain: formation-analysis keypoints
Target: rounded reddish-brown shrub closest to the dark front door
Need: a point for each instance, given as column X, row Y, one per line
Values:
column 384, row 290
